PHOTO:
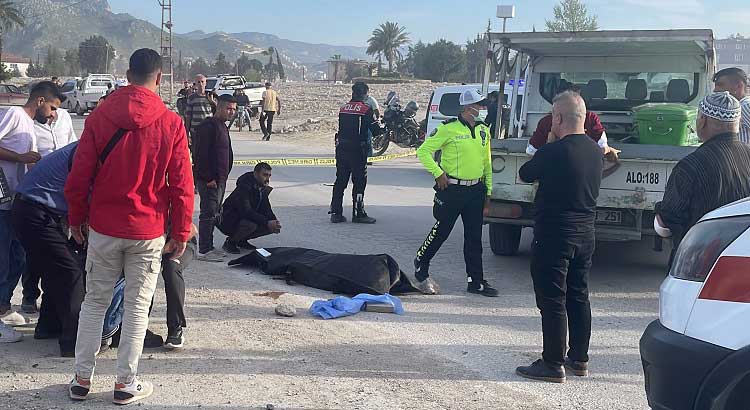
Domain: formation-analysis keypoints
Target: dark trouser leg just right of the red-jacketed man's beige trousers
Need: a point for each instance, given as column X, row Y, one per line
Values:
column 174, row 287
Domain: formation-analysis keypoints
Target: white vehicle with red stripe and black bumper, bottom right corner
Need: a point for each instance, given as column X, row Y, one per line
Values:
column 697, row 355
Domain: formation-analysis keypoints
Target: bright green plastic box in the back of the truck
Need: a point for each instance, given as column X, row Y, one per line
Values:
column 666, row 124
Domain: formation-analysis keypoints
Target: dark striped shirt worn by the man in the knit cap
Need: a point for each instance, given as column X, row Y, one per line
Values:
column 716, row 174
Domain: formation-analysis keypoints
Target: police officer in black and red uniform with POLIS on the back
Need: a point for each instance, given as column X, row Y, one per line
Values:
column 355, row 119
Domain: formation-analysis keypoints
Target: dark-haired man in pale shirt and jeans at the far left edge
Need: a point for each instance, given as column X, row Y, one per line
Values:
column 17, row 151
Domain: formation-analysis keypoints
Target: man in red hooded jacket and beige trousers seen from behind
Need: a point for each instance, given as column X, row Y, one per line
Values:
column 130, row 172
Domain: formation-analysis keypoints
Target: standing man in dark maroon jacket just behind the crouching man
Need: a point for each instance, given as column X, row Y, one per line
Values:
column 212, row 159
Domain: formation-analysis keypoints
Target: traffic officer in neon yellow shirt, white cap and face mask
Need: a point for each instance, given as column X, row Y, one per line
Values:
column 463, row 185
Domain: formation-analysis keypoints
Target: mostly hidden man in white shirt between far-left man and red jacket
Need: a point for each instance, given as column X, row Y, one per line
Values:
column 56, row 133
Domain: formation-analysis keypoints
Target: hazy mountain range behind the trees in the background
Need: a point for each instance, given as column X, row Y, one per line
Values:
column 52, row 23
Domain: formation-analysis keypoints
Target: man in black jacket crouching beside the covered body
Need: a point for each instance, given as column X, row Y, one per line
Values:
column 247, row 212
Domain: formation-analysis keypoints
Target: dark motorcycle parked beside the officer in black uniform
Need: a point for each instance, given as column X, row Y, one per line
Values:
column 399, row 126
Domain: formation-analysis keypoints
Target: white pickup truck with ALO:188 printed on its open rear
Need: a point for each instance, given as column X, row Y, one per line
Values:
column 617, row 71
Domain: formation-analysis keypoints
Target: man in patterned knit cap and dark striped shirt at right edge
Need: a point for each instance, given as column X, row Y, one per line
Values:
column 716, row 174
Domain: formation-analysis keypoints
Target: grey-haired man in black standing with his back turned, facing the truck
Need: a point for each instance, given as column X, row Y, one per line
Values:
column 569, row 173
